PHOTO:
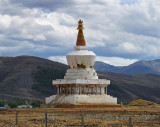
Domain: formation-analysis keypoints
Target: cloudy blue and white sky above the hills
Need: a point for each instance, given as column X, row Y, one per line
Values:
column 120, row 32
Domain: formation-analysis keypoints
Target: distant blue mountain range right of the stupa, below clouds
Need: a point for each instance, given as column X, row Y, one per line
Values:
column 139, row 67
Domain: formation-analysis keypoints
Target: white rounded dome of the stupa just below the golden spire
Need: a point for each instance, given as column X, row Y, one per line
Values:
column 81, row 58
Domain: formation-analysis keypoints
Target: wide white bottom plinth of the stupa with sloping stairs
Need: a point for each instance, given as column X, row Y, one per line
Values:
column 81, row 101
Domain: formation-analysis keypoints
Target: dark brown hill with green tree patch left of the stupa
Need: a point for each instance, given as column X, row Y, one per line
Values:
column 28, row 76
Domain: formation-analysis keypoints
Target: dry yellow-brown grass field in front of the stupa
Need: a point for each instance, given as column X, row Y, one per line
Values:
column 142, row 116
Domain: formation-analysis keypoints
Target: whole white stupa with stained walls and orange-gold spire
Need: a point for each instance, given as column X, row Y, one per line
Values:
column 80, row 86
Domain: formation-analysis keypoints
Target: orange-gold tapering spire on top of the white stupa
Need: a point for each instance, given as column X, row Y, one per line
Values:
column 80, row 37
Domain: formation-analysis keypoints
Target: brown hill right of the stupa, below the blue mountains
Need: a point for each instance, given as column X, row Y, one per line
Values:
column 130, row 87
